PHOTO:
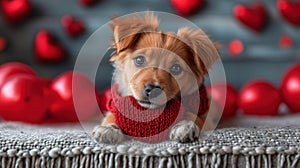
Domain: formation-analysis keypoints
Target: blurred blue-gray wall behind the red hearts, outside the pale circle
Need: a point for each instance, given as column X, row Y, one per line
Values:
column 262, row 57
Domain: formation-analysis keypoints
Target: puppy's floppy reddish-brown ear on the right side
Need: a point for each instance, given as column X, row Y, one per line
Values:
column 205, row 52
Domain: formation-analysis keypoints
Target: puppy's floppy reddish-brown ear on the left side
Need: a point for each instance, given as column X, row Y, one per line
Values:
column 128, row 29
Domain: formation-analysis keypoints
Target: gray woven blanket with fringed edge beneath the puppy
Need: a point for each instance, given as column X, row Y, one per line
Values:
column 67, row 145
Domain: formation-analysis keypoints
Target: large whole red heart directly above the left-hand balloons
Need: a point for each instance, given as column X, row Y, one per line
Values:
column 47, row 49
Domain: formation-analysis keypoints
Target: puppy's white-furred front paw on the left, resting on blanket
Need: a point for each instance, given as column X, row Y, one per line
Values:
column 108, row 134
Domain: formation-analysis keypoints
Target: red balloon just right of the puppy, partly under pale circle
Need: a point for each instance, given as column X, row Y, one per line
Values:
column 217, row 91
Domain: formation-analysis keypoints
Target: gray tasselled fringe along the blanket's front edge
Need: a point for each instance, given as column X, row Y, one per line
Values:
column 190, row 160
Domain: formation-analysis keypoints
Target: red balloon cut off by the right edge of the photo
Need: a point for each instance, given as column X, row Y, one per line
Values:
column 290, row 88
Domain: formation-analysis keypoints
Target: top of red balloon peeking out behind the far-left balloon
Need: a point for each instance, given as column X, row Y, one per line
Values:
column 10, row 69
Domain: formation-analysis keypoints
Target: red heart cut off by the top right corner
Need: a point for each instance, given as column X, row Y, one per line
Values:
column 290, row 11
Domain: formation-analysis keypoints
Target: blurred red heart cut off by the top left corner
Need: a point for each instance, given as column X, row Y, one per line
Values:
column 15, row 11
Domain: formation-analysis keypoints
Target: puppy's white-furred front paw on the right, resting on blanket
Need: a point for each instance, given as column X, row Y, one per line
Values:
column 185, row 131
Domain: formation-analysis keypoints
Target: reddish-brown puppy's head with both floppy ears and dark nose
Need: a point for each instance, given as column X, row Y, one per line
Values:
column 155, row 66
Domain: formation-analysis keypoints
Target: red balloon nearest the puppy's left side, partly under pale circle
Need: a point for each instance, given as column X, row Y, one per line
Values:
column 72, row 86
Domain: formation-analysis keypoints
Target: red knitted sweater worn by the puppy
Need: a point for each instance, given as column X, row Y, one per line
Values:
column 150, row 125
